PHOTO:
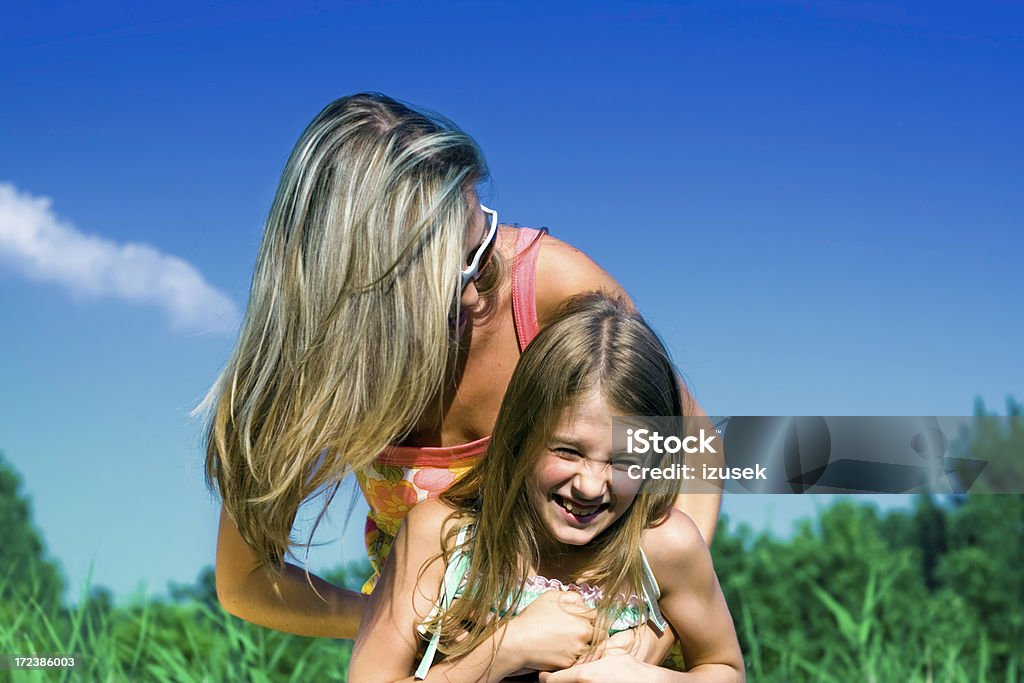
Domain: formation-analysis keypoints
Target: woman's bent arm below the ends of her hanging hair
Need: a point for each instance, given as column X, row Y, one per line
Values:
column 287, row 603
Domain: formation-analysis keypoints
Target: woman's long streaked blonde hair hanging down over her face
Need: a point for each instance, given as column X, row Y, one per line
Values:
column 347, row 337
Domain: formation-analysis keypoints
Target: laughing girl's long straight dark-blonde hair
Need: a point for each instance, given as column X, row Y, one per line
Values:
column 595, row 344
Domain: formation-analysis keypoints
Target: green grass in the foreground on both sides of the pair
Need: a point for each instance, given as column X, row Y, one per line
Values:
column 158, row 642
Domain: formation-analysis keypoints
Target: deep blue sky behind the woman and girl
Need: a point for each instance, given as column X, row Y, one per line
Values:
column 819, row 205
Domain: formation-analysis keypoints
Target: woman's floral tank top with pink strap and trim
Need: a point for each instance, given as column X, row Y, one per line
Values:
column 403, row 477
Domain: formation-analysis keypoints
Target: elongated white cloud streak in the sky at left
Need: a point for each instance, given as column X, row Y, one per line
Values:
column 41, row 246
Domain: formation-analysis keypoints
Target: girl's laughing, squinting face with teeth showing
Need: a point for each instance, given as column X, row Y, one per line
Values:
column 580, row 486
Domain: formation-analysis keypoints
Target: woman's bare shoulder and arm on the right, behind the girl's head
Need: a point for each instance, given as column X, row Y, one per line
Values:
column 564, row 272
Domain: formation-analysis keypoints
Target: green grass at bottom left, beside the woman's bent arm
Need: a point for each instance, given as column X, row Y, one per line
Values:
column 153, row 641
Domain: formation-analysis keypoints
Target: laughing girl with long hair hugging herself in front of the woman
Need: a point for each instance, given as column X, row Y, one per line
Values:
column 552, row 523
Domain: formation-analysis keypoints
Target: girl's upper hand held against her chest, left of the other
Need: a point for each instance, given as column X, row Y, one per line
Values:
column 551, row 633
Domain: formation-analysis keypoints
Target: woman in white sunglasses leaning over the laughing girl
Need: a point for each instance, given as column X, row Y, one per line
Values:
column 387, row 315
